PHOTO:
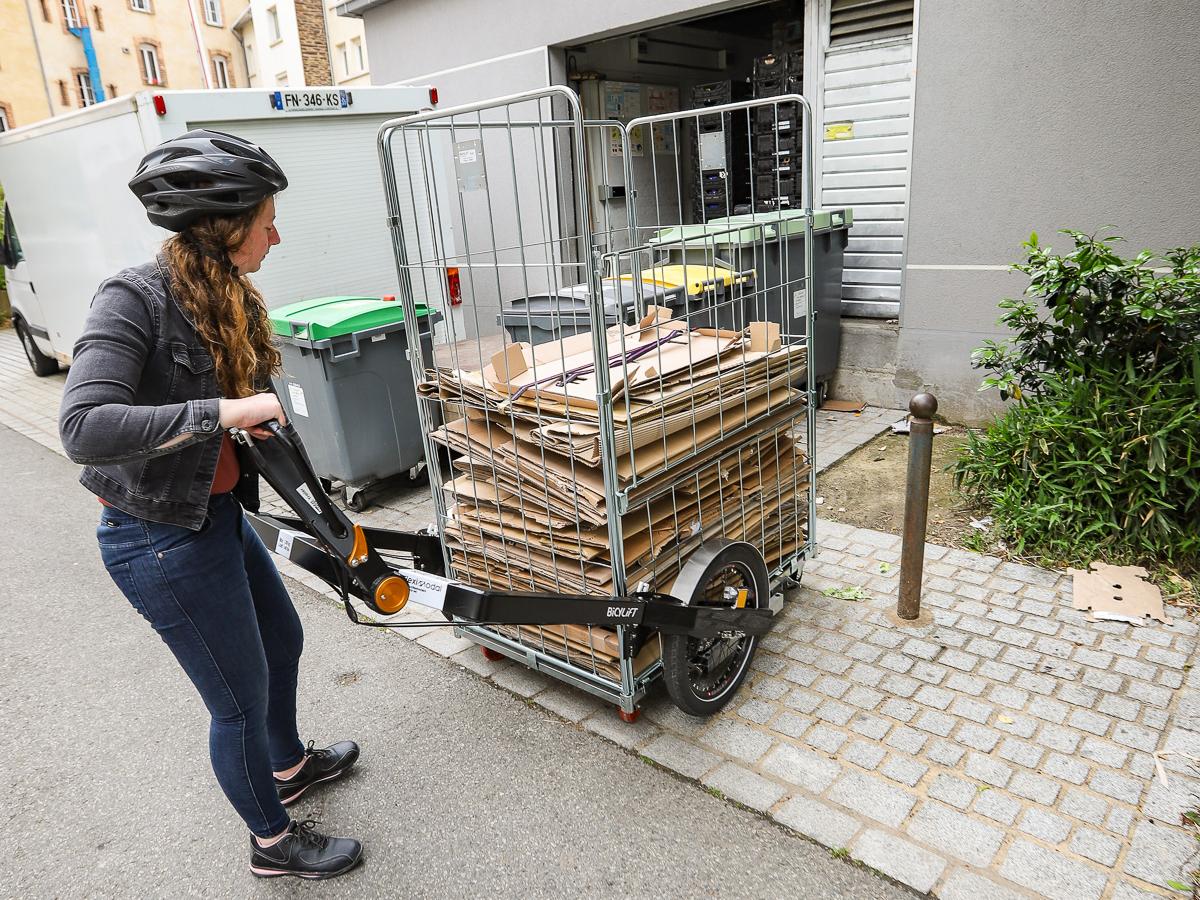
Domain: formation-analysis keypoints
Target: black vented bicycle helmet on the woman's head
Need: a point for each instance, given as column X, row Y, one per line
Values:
column 205, row 173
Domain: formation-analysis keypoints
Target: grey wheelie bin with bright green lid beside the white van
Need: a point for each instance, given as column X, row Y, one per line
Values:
column 347, row 386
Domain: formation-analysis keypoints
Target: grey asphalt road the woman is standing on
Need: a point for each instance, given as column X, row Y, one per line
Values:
column 463, row 790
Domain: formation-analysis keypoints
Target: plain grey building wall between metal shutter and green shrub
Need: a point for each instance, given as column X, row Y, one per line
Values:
column 1037, row 117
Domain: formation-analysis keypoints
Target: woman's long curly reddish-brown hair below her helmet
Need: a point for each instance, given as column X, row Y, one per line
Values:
column 226, row 308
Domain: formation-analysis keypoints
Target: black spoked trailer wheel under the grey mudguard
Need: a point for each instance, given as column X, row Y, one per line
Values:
column 703, row 675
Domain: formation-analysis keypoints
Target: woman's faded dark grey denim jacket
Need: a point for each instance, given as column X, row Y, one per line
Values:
column 142, row 377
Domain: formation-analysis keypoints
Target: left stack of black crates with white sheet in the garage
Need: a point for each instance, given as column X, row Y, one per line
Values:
column 719, row 191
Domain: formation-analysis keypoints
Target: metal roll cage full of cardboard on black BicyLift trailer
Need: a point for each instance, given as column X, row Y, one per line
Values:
column 614, row 506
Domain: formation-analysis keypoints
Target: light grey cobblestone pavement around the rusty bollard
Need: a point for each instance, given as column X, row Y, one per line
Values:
column 1006, row 751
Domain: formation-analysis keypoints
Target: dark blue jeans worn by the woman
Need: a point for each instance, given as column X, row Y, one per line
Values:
column 218, row 602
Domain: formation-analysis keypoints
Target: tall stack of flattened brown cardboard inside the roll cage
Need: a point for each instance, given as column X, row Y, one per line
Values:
column 527, row 507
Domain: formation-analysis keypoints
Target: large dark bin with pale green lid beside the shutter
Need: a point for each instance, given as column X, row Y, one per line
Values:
column 772, row 245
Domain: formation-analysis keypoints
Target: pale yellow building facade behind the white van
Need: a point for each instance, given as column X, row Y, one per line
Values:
column 185, row 50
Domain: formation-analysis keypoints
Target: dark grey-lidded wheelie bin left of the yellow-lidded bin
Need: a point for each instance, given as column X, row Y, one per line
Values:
column 549, row 317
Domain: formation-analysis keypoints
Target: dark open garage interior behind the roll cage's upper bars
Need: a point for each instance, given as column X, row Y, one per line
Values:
column 748, row 53
